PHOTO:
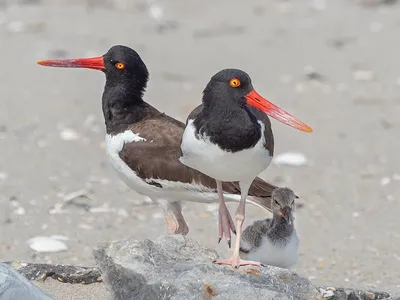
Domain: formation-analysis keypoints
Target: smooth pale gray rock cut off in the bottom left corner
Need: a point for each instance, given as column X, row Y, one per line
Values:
column 13, row 286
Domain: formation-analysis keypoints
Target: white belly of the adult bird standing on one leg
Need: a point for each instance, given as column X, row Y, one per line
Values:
column 210, row 159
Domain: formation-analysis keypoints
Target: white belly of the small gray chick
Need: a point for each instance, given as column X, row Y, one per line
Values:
column 283, row 256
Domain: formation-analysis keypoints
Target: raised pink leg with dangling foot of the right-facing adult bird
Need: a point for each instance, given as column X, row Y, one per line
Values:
column 225, row 220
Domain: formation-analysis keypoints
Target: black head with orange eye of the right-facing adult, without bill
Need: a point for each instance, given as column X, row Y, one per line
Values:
column 230, row 85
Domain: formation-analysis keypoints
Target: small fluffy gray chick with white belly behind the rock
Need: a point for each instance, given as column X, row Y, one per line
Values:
column 273, row 241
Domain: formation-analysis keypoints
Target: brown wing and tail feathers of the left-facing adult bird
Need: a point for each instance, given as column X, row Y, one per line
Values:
column 158, row 158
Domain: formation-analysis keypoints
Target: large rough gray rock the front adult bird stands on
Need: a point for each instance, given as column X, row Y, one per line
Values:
column 177, row 268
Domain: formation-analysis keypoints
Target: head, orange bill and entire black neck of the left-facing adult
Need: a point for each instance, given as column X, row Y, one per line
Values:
column 126, row 80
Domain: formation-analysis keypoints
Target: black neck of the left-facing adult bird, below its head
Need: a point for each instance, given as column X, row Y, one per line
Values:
column 123, row 106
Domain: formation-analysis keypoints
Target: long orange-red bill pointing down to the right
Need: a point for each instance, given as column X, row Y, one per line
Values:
column 256, row 100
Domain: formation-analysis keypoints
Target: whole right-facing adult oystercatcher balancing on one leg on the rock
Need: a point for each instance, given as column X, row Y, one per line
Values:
column 229, row 138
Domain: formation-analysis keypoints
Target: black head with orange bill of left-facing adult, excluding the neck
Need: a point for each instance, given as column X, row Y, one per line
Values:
column 121, row 64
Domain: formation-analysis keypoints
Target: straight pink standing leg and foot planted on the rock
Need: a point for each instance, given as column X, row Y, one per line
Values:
column 235, row 260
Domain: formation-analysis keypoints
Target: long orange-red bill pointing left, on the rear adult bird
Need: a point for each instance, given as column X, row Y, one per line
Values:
column 96, row 63
